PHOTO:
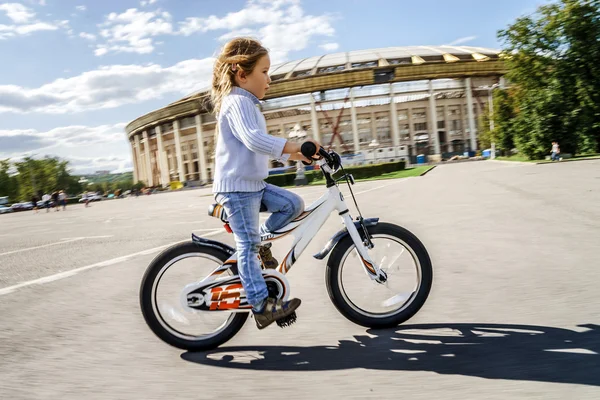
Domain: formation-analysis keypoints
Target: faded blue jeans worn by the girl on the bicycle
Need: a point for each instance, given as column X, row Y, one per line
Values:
column 243, row 214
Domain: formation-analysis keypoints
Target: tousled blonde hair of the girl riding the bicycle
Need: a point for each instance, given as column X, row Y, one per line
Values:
column 239, row 53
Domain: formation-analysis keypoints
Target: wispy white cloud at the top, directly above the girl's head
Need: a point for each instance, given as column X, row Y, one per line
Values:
column 281, row 25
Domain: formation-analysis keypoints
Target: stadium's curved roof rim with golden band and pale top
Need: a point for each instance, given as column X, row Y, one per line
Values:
column 351, row 69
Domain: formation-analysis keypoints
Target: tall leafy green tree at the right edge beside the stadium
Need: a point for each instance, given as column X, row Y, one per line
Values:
column 553, row 57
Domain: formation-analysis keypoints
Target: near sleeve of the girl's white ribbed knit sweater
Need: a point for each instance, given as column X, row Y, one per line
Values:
column 242, row 117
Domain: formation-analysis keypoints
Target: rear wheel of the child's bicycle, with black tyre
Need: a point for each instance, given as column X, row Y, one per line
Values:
column 160, row 295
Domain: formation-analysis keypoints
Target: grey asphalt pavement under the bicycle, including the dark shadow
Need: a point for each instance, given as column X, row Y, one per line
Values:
column 513, row 314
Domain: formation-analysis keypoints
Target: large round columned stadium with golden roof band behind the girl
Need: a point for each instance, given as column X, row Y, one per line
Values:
column 373, row 106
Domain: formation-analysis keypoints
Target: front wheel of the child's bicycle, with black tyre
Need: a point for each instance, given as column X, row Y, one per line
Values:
column 366, row 302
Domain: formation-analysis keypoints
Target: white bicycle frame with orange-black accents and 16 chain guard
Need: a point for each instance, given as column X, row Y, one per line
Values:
column 227, row 294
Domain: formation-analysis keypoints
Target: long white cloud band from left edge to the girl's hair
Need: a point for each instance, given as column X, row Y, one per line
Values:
column 108, row 87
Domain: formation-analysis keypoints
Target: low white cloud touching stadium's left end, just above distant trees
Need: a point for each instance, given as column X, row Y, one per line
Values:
column 78, row 144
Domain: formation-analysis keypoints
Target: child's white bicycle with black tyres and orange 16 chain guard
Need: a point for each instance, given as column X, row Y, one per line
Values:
column 378, row 274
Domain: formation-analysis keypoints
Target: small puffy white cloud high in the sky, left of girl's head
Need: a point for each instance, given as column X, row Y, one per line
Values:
column 133, row 31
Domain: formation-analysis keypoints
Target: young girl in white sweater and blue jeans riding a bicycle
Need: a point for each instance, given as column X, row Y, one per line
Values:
column 240, row 80
